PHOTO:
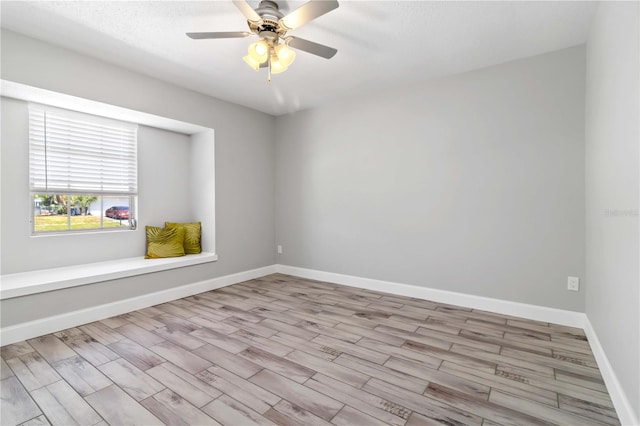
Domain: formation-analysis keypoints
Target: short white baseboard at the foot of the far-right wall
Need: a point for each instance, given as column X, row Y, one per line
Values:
column 618, row 396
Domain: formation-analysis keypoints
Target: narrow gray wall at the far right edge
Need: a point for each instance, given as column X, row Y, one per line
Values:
column 612, row 189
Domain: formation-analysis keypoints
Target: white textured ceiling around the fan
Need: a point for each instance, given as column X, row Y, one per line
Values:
column 380, row 44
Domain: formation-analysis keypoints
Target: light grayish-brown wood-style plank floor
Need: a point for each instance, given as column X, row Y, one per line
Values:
column 288, row 351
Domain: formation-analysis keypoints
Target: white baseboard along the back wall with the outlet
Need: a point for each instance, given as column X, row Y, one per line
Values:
column 523, row 310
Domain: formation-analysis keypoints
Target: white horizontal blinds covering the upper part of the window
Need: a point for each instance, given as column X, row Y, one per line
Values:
column 70, row 152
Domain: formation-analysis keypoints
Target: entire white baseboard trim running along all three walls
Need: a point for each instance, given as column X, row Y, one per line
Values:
column 28, row 330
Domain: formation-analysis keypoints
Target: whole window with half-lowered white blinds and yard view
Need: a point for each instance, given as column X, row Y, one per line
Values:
column 82, row 171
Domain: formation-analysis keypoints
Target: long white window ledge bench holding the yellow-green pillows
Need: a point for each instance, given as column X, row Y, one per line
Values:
column 32, row 282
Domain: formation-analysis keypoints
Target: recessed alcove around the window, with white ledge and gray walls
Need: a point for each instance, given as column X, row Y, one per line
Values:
column 176, row 178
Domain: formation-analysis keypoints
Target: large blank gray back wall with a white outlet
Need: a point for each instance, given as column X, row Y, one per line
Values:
column 473, row 183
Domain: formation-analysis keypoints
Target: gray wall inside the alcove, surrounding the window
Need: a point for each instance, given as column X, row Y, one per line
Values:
column 163, row 196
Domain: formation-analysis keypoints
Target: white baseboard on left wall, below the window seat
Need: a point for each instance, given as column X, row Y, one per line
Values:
column 31, row 329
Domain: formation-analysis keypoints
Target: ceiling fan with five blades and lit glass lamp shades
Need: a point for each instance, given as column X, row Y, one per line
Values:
column 273, row 51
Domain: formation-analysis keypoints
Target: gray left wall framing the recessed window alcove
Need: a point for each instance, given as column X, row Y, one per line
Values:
column 244, row 168
